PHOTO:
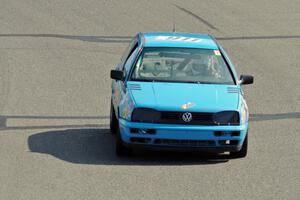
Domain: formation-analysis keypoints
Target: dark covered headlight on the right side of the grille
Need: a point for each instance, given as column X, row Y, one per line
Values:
column 226, row 118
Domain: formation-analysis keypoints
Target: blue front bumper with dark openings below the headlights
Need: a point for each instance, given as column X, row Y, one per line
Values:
column 186, row 137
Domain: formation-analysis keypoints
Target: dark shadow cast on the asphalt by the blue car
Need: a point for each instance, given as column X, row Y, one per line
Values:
column 96, row 147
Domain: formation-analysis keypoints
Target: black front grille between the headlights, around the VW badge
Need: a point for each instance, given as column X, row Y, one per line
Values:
column 198, row 118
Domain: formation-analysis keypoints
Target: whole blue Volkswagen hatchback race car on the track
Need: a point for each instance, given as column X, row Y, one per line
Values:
column 179, row 91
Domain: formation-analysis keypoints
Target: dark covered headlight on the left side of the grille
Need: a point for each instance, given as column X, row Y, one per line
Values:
column 145, row 115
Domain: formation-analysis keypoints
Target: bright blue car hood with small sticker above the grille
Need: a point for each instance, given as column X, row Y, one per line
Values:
column 184, row 96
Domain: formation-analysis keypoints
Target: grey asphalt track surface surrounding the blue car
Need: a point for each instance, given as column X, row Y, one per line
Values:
column 55, row 58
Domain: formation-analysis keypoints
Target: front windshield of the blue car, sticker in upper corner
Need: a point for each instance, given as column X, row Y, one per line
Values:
column 182, row 65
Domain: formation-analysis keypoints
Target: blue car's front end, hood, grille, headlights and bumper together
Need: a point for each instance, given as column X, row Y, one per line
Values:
column 158, row 117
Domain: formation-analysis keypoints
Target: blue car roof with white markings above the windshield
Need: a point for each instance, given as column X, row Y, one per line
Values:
column 177, row 39
